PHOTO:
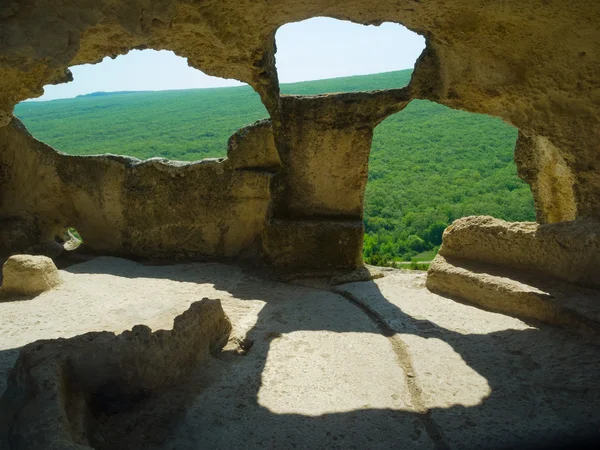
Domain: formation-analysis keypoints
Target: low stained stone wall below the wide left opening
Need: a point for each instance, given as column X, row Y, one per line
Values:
column 119, row 205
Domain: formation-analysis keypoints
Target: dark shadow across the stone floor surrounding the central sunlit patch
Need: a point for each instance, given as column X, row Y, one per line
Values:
column 544, row 390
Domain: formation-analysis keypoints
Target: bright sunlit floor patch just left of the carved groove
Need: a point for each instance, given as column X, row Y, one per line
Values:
column 319, row 372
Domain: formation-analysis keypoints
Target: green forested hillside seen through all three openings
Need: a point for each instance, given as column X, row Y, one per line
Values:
column 429, row 164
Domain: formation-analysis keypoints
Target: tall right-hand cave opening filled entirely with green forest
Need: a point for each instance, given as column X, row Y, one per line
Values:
column 430, row 165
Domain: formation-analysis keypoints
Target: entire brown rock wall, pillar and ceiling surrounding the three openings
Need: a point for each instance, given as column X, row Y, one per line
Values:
column 534, row 63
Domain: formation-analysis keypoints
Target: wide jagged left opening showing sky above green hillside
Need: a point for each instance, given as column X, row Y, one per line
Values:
column 143, row 104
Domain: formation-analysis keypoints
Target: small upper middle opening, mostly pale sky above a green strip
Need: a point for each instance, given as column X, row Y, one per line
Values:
column 341, row 56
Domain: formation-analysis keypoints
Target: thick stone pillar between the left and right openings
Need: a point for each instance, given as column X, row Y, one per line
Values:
column 317, row 197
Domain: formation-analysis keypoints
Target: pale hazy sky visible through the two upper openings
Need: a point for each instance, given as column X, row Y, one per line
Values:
column 310, row 50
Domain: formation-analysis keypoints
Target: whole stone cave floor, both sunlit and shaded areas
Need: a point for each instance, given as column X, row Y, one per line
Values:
column 377, row 364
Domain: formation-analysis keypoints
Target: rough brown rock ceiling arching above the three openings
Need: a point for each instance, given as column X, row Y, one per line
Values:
column 532, row 64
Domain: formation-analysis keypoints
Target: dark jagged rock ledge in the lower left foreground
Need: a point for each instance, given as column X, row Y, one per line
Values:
column 58, row 389
